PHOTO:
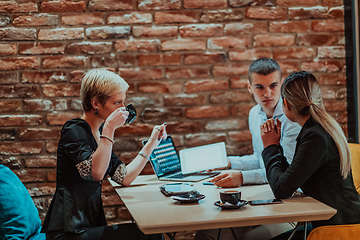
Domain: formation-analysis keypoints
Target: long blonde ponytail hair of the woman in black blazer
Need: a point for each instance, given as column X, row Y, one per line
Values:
column 301, row 90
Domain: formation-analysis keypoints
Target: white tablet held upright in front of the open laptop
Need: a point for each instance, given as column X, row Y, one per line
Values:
column 203, row 158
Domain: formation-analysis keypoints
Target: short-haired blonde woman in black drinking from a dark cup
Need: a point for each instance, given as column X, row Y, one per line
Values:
column 85, row 158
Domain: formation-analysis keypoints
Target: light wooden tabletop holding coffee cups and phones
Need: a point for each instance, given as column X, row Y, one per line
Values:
column 155, row 213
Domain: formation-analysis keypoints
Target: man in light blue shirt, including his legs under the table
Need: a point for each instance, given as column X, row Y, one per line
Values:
column 264, row 84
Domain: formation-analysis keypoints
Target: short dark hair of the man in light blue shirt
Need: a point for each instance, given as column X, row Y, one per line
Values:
column 264, row 66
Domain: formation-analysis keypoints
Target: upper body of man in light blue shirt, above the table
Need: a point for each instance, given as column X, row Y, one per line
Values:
column 264, row 85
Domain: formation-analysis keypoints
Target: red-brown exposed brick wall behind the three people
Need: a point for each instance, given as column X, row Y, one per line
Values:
column 186, row 62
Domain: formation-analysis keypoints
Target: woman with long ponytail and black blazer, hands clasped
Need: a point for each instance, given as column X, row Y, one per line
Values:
column 321, row 165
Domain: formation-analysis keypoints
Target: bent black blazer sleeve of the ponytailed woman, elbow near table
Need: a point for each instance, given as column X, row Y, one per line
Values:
column 309, row 157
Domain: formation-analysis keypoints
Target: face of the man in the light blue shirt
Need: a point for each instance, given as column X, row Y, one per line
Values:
column 266, row 91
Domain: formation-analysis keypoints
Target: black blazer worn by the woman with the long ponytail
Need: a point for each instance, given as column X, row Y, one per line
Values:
column 316, row 170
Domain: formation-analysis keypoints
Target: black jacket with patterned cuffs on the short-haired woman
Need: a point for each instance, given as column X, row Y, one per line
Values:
column 76, row 205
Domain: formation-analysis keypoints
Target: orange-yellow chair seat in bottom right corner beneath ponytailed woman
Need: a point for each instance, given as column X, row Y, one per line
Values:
column 335, row 232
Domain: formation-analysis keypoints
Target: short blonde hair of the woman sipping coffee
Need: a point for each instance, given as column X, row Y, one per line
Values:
column 100, row 84
